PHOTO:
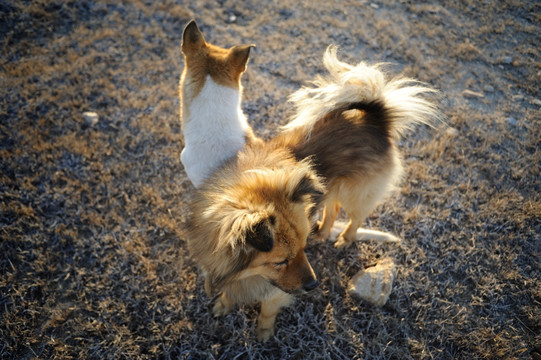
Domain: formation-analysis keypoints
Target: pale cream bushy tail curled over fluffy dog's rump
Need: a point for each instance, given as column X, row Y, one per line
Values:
column 403, row 99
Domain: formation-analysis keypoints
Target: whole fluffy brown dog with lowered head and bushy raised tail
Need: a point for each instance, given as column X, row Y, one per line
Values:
column 251, row 218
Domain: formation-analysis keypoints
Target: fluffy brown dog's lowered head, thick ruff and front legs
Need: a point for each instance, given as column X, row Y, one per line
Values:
column 249, row 226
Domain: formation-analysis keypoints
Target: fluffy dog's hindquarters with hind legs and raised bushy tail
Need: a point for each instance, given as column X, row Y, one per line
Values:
column 349, row 124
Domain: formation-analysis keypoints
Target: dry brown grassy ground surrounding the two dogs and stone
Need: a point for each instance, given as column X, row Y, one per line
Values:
column 93, row 260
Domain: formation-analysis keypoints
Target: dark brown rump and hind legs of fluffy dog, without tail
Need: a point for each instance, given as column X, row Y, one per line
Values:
column 355, row 155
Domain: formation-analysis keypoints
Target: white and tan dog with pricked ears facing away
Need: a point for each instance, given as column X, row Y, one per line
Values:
column 213, row 124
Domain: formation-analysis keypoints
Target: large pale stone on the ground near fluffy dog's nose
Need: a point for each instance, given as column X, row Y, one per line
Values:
column 374, row 284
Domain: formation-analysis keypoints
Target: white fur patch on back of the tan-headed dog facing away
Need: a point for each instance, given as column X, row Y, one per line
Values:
column 214, row 132
